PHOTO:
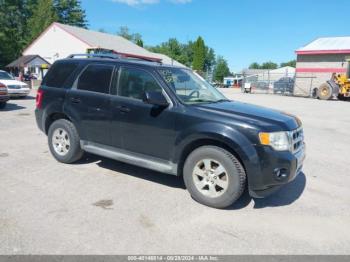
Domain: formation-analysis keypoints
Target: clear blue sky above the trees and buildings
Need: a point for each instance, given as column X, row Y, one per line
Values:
column 242, row 31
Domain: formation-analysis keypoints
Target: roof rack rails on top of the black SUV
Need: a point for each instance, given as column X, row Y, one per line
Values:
column 116, row 55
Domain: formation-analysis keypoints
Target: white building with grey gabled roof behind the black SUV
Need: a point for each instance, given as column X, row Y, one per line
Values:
column 59, row 41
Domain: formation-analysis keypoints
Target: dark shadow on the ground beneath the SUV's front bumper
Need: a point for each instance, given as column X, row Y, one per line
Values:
column 287, row 195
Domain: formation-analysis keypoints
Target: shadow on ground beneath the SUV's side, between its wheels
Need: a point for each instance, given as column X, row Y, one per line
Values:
column 135, row 171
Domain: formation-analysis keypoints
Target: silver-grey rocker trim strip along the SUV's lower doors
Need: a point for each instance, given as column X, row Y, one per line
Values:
column 130, row 158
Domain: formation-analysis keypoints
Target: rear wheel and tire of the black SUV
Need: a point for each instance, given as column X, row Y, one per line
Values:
column 64, row 142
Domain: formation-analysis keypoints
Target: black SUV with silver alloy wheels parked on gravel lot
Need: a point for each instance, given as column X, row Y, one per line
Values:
column 170, row 120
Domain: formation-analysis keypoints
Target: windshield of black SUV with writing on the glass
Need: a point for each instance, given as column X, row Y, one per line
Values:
column 189, row 87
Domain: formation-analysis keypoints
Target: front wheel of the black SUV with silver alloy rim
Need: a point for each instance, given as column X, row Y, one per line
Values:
column 205, row 186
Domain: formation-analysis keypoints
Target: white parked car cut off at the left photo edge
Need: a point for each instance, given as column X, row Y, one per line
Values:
column 15, row 88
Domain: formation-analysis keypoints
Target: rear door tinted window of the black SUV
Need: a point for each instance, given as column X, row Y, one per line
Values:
column 96, row 78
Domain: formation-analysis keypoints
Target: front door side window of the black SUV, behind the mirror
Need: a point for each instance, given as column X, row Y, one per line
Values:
column 134, row 82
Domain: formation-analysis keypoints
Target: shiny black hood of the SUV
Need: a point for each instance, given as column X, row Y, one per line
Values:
column 267, row 119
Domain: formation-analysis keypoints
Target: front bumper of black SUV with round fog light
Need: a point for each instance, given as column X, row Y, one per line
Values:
column 277, row 169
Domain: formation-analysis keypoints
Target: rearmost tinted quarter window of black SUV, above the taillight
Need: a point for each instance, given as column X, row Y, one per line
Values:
column 59, row 73
